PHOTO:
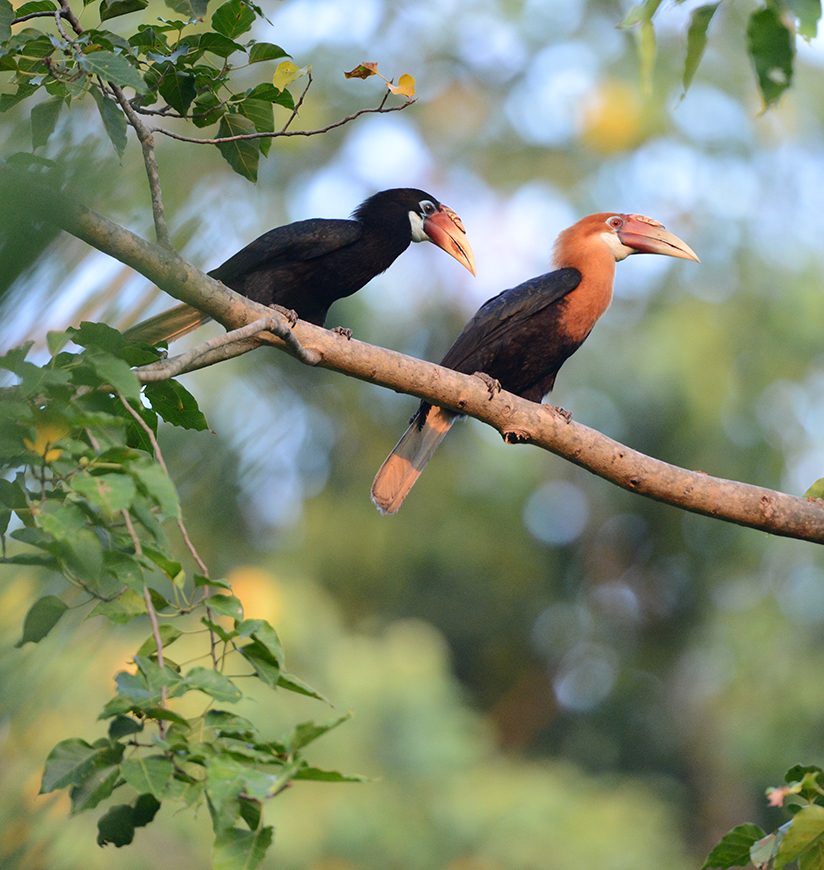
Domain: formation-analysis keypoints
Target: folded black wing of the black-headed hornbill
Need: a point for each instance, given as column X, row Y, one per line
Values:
column 303, row 240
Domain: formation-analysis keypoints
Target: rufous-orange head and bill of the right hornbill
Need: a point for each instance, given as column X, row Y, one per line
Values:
column 622, row 234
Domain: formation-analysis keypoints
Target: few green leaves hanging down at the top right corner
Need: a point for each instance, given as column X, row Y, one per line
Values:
column 771, row 32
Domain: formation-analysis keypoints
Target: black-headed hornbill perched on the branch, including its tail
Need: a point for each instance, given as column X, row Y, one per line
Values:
column 307, row 265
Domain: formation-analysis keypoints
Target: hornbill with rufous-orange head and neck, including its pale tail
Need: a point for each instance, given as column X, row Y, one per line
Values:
column 519, row 339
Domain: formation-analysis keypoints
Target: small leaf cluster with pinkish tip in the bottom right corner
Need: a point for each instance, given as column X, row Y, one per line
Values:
column 799, row 841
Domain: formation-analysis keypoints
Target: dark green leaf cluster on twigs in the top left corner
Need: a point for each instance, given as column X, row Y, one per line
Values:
column 176, row 68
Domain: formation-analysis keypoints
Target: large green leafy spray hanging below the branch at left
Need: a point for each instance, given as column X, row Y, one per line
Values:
column 86, row 492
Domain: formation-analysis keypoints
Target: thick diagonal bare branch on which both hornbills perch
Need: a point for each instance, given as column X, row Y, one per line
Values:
column 515, row 418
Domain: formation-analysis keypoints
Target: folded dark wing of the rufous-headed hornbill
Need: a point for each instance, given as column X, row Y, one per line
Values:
column 504, row 315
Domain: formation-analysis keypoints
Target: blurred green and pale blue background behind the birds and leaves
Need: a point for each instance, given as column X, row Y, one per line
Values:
column 545, row 671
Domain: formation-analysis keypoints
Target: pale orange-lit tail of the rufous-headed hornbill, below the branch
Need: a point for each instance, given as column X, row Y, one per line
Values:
column 408, row 459
